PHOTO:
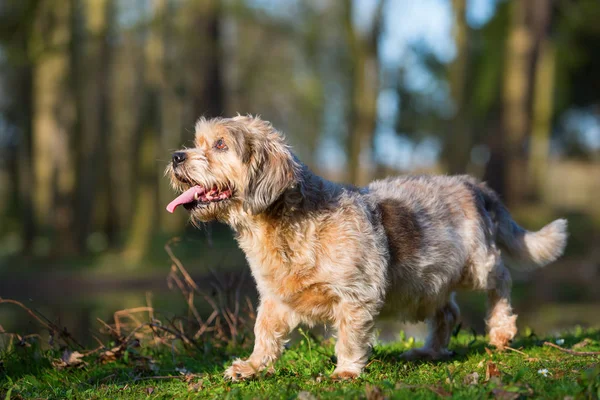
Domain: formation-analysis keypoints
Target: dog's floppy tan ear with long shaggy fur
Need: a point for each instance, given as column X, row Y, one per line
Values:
column 271, row 166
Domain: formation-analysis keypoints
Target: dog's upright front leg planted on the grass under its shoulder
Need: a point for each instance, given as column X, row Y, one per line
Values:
column 354, row 324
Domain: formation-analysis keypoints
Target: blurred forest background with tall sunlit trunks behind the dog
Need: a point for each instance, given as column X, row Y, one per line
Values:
column 96, row 94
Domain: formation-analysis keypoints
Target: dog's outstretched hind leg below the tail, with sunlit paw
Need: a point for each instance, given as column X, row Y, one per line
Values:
column 501, row 322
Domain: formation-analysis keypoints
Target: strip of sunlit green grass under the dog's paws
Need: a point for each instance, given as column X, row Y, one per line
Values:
column 28, row 372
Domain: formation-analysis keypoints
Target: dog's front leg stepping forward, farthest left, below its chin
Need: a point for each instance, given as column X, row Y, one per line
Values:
column 273, row 323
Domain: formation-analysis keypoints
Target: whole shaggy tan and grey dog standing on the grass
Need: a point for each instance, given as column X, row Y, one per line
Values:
column 324, row 252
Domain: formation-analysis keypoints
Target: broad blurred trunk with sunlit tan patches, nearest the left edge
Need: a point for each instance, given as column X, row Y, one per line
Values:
column 53, row 123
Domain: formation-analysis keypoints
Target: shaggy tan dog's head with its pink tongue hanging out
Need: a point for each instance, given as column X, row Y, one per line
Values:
column 238, row 165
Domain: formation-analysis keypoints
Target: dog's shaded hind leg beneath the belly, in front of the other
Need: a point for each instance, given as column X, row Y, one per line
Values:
column 440, row 330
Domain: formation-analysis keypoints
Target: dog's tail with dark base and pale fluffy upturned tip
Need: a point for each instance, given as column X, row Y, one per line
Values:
column 522, row 249
